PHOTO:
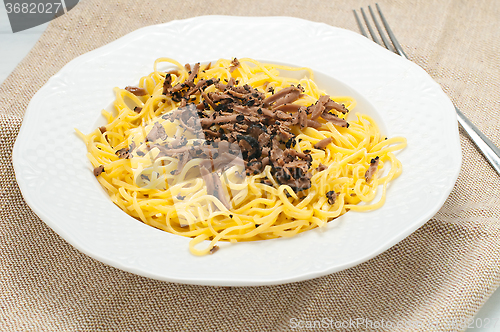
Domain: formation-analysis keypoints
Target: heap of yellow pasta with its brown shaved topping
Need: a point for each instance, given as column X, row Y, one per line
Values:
column 234, row 151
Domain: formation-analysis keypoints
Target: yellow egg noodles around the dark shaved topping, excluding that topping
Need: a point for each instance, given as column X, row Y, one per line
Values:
column 161, row 189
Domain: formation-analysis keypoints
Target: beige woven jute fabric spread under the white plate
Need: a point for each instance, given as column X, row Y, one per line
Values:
column 439, row 275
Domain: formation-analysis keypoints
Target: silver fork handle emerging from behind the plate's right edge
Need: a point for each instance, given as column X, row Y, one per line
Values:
column 489, row 150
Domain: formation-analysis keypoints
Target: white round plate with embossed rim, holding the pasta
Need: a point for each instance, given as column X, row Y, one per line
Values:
column 56, row 180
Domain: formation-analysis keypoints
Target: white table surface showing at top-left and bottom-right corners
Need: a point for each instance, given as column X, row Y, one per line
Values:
column 16, row 46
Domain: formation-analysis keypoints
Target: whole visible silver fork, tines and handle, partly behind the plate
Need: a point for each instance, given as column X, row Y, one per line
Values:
column 490, row 151
